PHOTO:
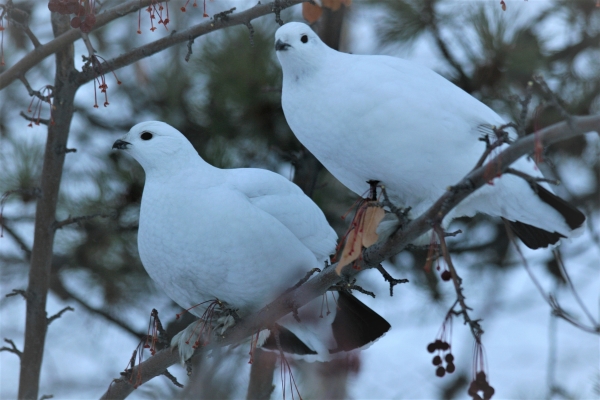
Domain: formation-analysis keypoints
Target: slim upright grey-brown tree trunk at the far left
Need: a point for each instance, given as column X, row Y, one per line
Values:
column 36, row 323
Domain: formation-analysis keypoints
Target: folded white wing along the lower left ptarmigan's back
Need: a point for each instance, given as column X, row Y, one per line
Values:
column 285, row 201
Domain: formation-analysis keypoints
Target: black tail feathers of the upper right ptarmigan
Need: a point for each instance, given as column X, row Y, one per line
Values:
column 534, row 237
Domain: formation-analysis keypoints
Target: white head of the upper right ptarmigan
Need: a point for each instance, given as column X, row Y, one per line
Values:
column 298, row 48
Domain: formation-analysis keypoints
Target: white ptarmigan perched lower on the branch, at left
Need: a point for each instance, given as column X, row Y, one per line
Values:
column 242, row 236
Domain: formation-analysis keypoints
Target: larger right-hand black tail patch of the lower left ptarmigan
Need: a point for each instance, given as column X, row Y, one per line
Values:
column 356, row 325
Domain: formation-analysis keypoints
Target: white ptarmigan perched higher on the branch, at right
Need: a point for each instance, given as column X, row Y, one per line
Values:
column 386, row 119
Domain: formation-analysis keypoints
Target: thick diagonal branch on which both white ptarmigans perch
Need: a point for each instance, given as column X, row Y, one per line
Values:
column 372, row 256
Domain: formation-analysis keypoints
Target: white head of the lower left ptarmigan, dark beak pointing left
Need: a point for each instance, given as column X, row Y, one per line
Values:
column 156, row 145
